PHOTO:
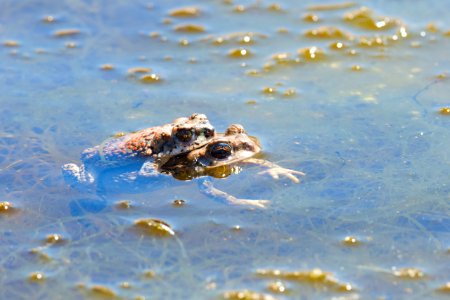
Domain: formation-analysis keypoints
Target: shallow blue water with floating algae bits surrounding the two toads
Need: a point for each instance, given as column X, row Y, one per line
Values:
column 364, row 125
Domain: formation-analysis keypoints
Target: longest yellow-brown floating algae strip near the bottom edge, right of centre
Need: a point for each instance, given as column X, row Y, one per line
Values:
column 314, row 276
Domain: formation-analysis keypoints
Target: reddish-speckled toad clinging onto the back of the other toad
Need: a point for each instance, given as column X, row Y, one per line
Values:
column 147, row 145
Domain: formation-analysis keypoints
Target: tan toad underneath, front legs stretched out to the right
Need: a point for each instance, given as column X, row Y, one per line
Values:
column 222, row 156
